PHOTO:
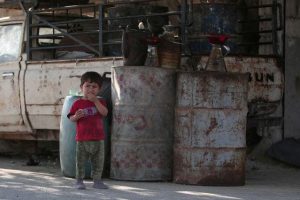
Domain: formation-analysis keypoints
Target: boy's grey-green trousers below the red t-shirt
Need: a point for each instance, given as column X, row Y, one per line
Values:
column 93, row 150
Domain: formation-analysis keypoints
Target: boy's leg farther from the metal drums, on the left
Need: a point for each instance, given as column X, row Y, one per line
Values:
column 80, row 164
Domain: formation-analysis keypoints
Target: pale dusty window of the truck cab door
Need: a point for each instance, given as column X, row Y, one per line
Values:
column 10, row 40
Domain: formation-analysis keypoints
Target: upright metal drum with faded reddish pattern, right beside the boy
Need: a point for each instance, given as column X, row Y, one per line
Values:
column 143, row 122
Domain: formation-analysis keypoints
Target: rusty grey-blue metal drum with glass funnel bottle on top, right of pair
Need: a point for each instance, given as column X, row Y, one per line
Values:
column 210, row 128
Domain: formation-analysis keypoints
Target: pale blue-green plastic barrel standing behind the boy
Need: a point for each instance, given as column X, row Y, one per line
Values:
column 67, row 143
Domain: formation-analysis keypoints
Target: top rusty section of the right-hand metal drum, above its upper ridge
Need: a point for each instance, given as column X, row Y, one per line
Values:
column 212, row 90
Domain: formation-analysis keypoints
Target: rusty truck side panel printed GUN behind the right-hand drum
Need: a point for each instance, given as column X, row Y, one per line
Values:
column 266, row 81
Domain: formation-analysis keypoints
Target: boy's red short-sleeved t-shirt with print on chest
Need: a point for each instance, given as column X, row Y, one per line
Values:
column 90, row 127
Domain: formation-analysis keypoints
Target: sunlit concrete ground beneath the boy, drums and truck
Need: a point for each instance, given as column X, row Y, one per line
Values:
column 265, row 180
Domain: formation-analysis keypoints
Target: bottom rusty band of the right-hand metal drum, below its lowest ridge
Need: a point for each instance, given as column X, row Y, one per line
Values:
column 215, row 166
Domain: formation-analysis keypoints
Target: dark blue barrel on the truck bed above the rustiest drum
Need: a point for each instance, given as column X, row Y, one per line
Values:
column 215, row 17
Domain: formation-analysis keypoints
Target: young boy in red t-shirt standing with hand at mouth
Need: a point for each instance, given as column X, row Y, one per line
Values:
column 88, row 112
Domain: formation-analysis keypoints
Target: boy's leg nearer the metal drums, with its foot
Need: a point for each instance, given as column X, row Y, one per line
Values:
column 97, row 160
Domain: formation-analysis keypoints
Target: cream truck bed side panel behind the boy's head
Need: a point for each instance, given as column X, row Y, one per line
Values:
column 52, row 81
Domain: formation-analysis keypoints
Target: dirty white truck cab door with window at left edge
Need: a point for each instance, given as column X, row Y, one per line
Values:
column 11, row 109
